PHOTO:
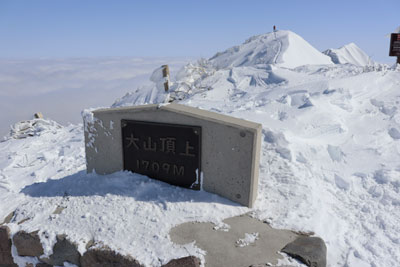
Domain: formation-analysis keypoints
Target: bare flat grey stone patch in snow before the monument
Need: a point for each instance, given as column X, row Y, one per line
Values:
column 221, row 246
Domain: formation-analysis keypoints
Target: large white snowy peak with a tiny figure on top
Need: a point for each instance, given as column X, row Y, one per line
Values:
column 283, row 48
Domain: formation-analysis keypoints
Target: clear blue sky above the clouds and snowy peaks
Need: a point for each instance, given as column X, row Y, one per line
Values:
column 61, row 28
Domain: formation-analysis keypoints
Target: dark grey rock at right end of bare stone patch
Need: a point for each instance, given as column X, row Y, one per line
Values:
column 309, row 250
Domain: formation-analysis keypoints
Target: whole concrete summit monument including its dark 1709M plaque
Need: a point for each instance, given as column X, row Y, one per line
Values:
column 177, row 144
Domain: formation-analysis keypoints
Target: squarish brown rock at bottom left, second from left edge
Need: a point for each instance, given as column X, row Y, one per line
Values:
column 28, row 244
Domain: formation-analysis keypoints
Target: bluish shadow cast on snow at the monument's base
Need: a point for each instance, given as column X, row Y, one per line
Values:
column 124, row 184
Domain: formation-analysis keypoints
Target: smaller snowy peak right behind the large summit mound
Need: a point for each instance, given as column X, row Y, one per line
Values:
column 349, row 53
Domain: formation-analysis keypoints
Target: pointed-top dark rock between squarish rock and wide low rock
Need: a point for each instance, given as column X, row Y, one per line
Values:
column 63, row 251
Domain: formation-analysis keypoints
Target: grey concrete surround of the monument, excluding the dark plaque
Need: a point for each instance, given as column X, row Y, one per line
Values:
column 230, row 147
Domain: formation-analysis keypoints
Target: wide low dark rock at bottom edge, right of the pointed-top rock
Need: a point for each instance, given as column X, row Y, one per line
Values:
column 105, row 258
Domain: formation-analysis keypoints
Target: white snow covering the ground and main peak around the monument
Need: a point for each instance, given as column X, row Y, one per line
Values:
column 330, row 160
